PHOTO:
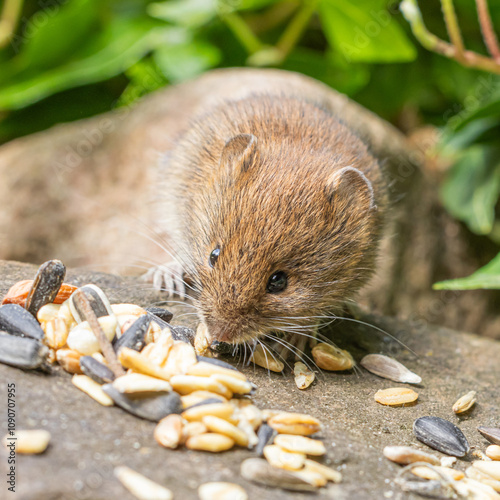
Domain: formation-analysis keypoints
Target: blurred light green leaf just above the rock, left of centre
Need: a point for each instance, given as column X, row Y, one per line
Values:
column 181, row 62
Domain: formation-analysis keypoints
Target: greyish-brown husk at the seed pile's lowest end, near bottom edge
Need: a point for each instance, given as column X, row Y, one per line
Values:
column 260, row 471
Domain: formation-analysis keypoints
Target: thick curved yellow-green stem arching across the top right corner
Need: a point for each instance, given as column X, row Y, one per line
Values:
column 471, row 59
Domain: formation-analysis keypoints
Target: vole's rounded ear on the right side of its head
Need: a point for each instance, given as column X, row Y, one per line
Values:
column 350, row 185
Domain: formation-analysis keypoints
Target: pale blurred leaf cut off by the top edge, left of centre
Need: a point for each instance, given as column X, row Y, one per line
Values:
column 188, row 13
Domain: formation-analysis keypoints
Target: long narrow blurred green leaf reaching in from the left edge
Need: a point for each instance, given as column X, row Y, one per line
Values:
column 126, row 43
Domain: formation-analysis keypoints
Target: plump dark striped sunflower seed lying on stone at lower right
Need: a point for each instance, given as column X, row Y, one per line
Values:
column 441, row 435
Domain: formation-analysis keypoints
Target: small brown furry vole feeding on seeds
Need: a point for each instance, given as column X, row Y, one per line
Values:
column 275, row 211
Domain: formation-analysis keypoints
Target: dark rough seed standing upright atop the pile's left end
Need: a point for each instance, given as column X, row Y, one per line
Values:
column 47, row 282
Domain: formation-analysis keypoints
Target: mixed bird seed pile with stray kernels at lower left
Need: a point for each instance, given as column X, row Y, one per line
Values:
column 131, row 357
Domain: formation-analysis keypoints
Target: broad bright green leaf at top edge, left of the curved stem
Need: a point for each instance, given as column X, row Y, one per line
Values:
column 364, row 31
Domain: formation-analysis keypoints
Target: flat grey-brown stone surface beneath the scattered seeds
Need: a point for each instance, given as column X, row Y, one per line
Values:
column 88, row 440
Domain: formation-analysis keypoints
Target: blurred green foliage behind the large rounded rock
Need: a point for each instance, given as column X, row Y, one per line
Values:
column 70, row 59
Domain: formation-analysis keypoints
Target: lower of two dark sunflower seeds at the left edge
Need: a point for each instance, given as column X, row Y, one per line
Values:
column 22, row 352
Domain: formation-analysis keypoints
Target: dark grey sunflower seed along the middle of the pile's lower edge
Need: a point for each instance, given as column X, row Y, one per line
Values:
column 148, row 407
